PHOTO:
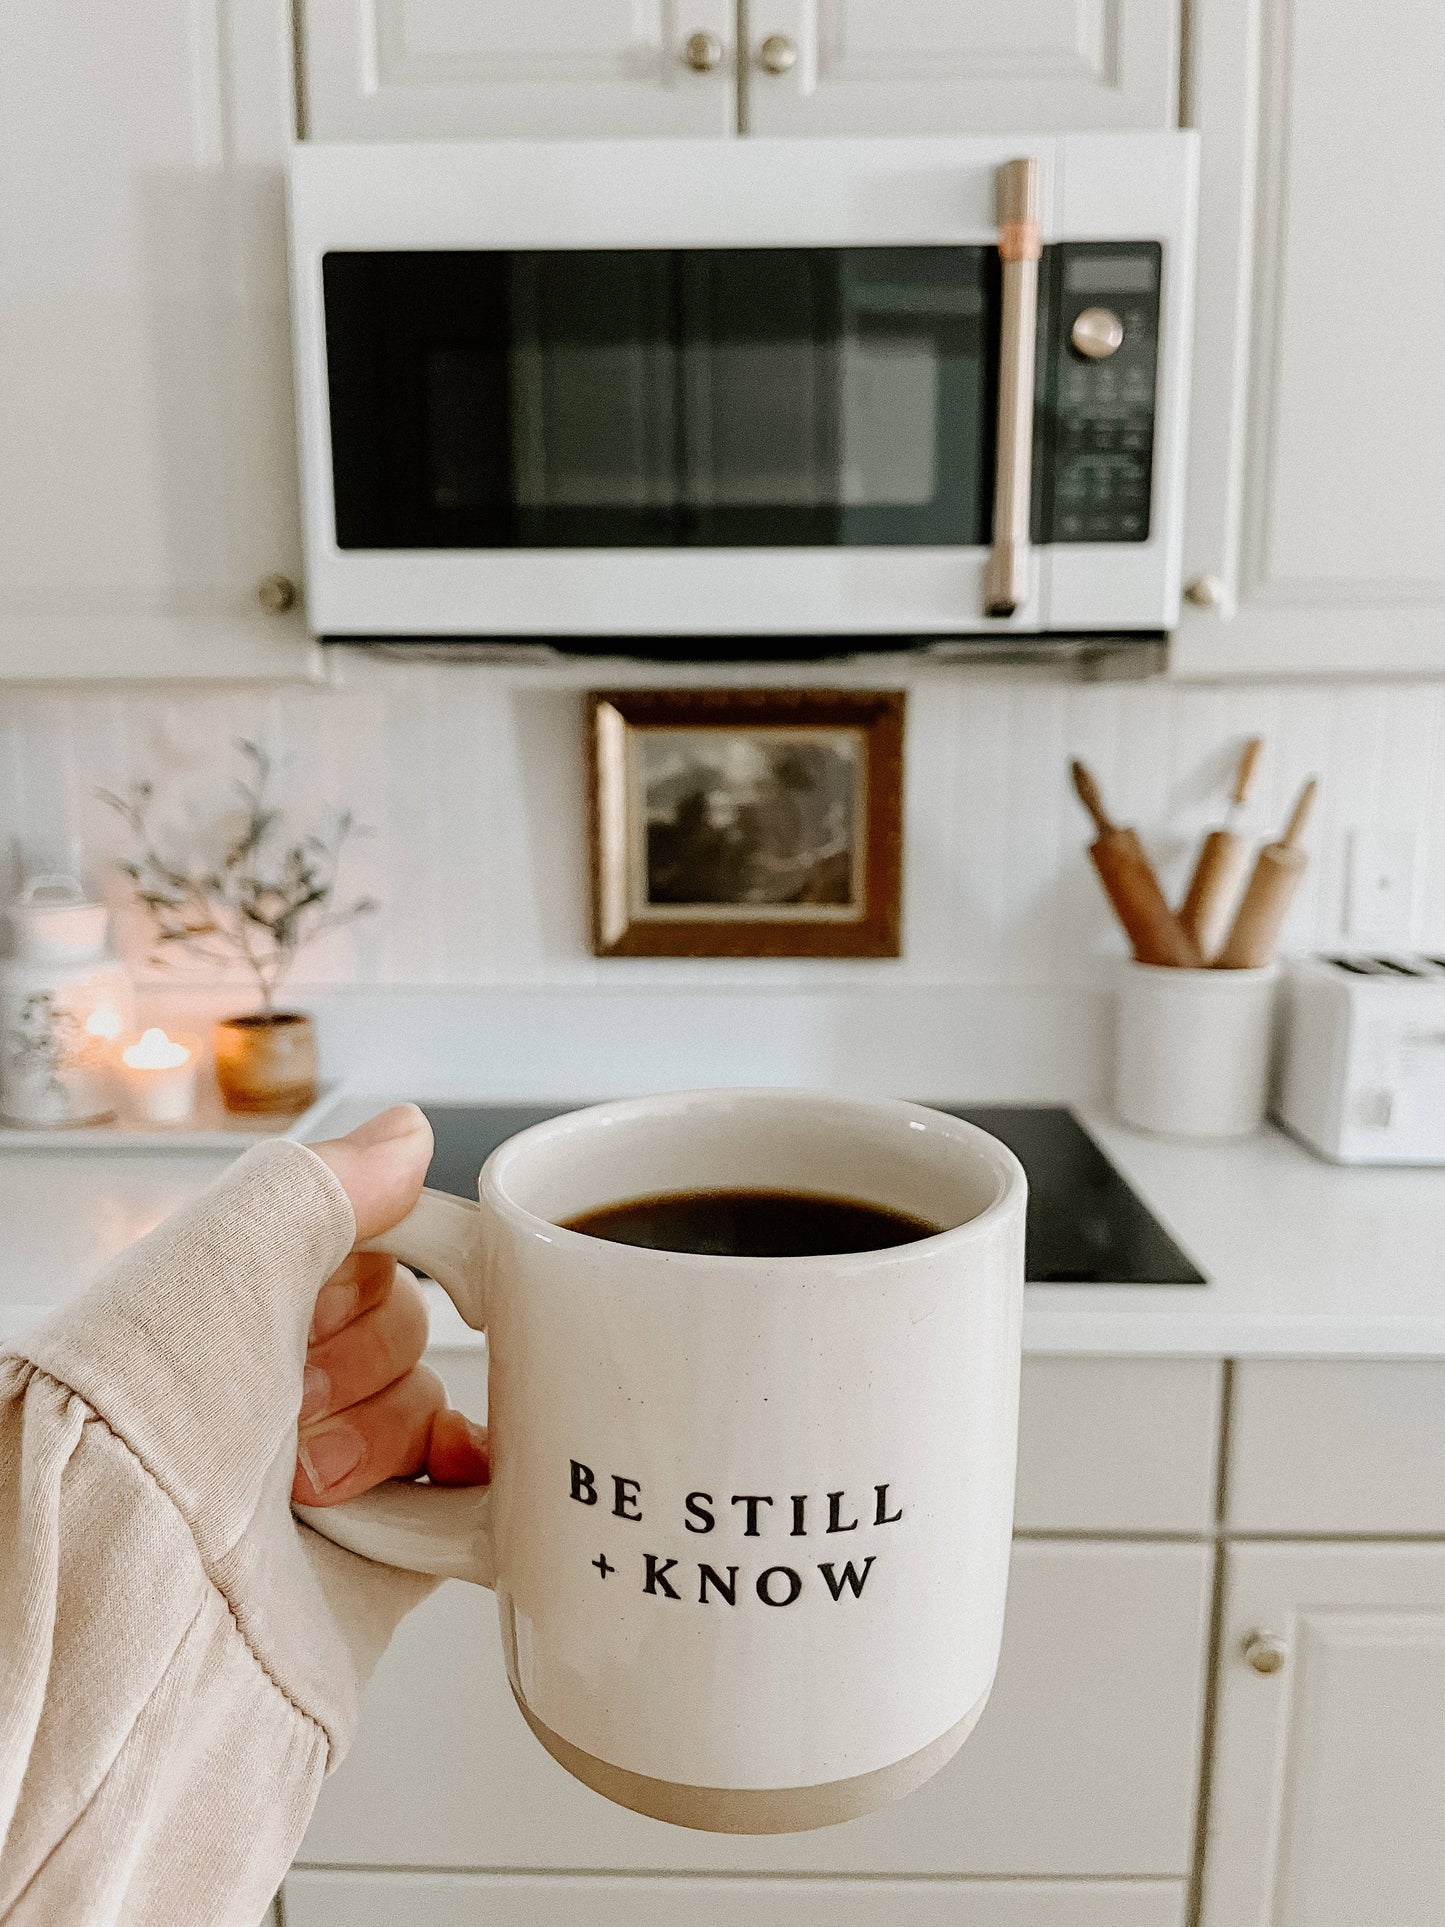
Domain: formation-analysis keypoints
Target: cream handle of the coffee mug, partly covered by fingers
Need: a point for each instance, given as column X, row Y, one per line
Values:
column 448, row 1529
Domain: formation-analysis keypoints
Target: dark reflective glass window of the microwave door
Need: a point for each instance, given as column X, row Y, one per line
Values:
column 710, row 398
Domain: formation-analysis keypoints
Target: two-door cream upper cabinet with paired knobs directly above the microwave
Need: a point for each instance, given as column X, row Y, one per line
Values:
column 569, row 68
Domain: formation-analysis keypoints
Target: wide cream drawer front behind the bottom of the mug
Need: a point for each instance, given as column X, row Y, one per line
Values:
column 1084, row 1762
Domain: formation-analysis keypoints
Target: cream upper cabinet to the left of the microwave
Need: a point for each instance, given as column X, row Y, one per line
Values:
column 147, row 456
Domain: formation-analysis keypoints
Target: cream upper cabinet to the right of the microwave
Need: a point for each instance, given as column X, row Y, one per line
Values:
column 1317, row 496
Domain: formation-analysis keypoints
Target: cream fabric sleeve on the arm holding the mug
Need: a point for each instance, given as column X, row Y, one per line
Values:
column 180, row 1660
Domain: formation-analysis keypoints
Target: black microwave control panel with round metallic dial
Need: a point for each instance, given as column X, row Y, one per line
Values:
column 1099, row 334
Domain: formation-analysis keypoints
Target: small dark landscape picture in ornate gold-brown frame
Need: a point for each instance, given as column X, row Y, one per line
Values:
column 747, row 824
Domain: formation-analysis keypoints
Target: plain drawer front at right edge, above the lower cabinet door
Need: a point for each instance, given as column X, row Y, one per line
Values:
column 1338, row 1446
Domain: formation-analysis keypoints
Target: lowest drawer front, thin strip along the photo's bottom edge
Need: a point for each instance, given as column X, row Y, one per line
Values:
column 592, row 1901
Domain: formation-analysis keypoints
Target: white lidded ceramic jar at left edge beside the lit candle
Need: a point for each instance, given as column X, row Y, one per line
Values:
column 65, row 1007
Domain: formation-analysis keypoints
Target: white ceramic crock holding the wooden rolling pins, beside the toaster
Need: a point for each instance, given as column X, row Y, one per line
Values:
column 1194, row 1049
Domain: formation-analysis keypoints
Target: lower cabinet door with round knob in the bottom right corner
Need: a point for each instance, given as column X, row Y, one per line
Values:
column 1327, row 1805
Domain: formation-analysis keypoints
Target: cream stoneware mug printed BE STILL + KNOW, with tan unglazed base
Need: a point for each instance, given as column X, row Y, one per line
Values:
column 750, row 1519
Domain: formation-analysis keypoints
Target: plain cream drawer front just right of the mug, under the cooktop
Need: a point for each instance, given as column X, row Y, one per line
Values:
column 1118, row 1444
